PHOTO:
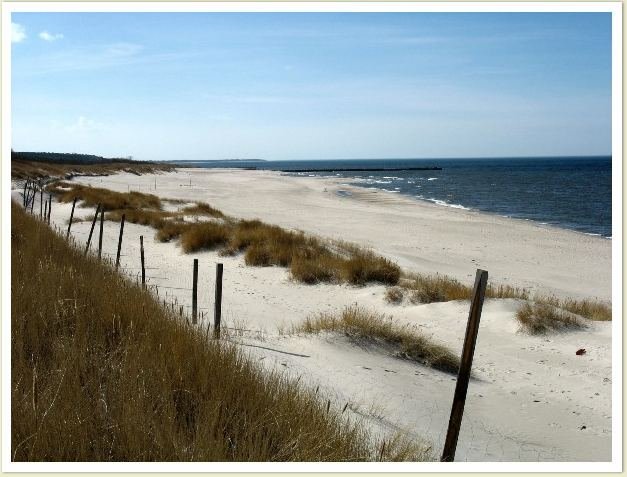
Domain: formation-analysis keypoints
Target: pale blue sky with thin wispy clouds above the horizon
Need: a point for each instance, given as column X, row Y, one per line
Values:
column 300, row 86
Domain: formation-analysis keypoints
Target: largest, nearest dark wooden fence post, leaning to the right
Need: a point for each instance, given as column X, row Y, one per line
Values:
column 463, row 377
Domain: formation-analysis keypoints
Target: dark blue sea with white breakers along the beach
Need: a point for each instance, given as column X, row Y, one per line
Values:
column 569, row 192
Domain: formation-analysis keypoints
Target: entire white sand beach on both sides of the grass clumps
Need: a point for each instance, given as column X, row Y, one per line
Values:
column 532, row 396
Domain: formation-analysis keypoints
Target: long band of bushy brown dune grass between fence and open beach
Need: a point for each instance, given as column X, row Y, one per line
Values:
column 310, row 260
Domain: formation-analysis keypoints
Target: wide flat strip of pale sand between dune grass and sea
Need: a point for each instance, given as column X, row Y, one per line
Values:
column 419, row 235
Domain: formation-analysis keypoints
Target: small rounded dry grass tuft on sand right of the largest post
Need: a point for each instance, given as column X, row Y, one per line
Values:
column 541, row 318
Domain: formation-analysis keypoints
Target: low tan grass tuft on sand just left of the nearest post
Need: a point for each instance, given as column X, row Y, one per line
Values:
column 363, row 325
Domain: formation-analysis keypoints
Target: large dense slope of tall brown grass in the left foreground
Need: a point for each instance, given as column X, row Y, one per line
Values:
column 101, row 372
